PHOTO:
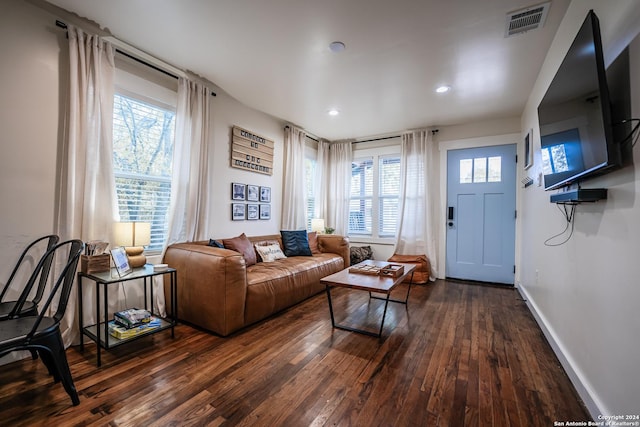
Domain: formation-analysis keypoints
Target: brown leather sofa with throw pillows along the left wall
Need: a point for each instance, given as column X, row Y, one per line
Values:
column 218, row 292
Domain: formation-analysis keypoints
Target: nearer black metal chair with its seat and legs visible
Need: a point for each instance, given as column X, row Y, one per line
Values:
column 42, row 333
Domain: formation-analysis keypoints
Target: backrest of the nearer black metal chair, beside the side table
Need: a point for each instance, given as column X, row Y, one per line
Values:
column 63, row 282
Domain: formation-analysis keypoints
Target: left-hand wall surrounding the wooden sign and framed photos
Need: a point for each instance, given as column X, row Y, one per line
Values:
column 33, row 86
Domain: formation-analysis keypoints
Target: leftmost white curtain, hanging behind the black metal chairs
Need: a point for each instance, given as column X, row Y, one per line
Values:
column 86, row 197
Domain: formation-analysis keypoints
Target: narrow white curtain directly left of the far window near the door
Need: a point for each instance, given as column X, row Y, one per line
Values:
column 340, row 156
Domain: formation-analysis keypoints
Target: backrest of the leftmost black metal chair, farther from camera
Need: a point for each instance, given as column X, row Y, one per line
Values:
column 43, row 272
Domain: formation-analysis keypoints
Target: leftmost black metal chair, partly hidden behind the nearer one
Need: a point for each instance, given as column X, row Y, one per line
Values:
column 32, row 253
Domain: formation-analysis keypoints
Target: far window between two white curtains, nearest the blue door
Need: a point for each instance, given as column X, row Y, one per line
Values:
column 375, row 189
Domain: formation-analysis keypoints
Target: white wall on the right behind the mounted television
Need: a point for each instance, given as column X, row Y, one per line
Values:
column 585, row 293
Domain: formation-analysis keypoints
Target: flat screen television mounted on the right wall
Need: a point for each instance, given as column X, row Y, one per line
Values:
column 576, row 134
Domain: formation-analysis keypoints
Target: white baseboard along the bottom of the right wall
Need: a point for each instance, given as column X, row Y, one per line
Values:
column 577, row 379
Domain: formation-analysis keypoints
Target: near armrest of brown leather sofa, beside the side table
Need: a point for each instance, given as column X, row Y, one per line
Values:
column 212, row 286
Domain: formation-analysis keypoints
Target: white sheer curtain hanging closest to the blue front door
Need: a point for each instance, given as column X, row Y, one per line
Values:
column 419, row 197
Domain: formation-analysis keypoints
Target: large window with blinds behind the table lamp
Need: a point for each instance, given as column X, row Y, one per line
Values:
column 143, row 135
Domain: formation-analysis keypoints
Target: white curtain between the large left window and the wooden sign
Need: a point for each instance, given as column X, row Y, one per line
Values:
column 189, row 206
